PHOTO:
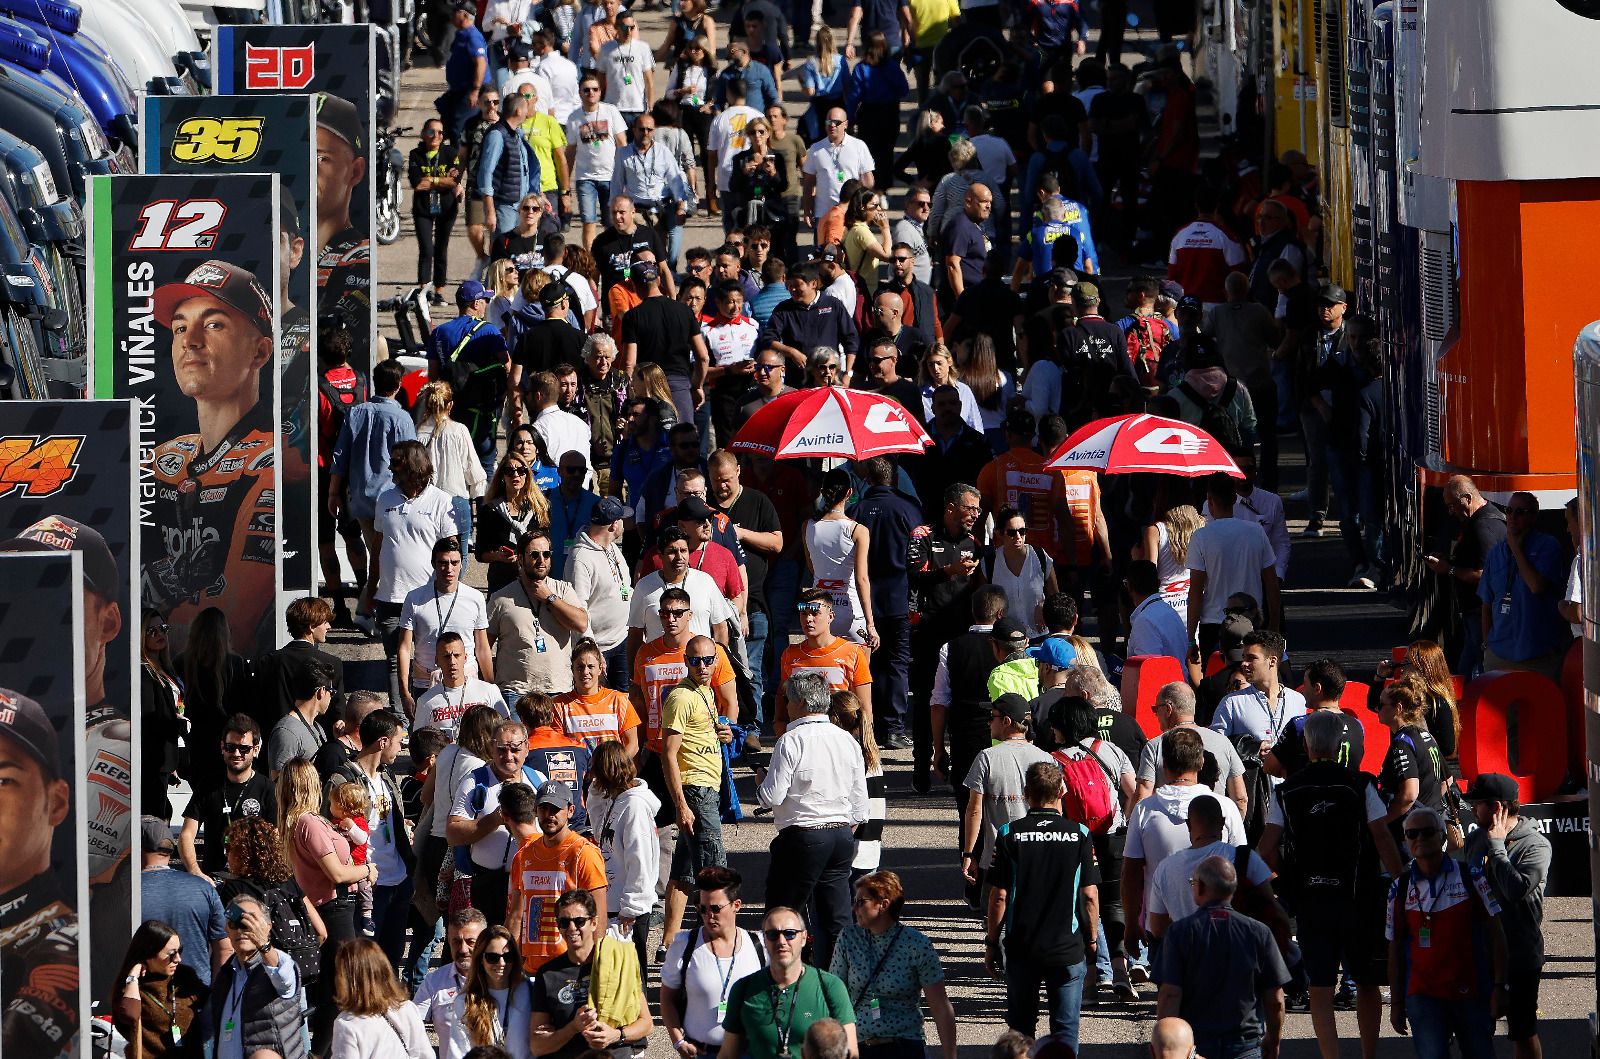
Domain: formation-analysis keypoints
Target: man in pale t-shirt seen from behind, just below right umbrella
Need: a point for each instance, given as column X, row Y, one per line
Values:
column 1228, row 556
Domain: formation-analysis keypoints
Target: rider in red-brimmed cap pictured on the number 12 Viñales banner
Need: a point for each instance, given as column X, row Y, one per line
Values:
column 217, row 490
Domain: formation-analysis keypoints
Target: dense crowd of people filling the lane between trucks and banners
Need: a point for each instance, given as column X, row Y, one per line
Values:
column 516, row 849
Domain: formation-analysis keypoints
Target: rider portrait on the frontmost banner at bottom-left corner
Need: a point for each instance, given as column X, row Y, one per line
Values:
column 39, row 965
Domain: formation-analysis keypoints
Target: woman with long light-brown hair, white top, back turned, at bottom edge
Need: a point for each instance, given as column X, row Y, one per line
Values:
column 377, row 1018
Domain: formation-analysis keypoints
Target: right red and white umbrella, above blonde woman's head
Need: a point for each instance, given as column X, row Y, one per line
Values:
column 1145, row 444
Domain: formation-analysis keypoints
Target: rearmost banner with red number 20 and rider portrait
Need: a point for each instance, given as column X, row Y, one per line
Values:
column 338, row 66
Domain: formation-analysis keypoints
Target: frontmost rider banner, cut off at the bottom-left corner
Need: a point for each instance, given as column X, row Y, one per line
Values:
column 44, row 881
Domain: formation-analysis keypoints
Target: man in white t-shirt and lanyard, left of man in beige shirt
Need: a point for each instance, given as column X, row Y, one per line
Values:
column 442, row 605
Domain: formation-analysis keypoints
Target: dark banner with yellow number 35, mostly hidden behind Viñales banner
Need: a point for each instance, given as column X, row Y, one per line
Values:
column 266, row 135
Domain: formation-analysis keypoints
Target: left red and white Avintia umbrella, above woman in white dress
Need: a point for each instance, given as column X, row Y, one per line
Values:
column 833, row 422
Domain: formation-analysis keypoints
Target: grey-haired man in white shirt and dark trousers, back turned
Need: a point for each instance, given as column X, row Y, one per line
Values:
column 818, row 793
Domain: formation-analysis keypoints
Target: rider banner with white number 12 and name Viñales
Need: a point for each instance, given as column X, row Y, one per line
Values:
column 186, row 326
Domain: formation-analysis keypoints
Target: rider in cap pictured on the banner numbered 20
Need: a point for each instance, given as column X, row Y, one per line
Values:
column 345, row 274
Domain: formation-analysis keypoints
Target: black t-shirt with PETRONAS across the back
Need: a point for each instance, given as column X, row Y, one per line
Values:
column 1042, row 861
